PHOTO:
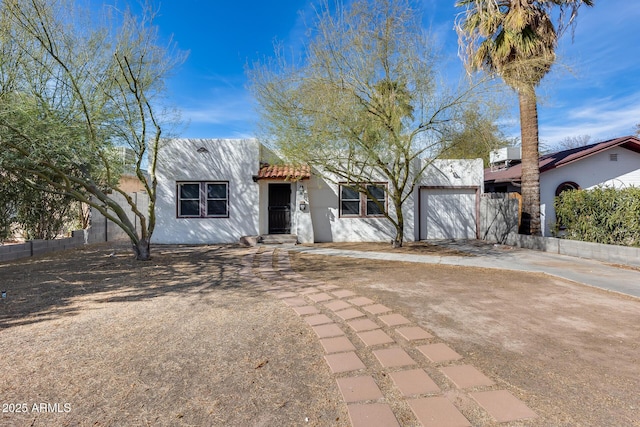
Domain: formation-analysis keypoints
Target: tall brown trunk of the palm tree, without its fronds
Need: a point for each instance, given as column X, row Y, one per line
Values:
column 530, row 166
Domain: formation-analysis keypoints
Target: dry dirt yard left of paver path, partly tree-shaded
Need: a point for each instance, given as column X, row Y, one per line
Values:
column 177, row 341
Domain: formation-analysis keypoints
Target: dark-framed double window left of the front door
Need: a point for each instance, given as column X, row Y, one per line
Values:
column 203, row 199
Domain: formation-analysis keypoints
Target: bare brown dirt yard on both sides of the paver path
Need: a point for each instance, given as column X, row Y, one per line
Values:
column 93, row 338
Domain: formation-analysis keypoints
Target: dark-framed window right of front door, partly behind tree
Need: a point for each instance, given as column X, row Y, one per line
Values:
column 355, row 204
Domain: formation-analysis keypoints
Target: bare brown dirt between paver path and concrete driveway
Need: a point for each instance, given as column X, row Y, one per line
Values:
column 571, row 352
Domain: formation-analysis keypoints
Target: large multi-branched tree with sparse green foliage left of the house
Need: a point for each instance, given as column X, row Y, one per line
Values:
column 73, row 86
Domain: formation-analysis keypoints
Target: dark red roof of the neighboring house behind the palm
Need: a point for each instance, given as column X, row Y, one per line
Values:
column 562, row 158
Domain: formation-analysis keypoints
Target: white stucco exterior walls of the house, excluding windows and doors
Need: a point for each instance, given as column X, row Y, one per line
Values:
column 237, row 161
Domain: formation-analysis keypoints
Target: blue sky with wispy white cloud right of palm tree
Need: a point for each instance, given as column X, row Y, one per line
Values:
column 594, row 89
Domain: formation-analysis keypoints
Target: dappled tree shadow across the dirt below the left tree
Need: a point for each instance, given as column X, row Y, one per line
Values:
column 66, row 283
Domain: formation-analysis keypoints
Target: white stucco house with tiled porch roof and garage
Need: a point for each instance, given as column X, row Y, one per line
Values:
column 219, row 190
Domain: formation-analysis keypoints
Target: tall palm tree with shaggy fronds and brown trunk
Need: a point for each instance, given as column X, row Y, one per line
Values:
column 517, row 39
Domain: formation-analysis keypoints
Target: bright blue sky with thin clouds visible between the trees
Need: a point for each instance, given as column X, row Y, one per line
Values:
column 594, row 90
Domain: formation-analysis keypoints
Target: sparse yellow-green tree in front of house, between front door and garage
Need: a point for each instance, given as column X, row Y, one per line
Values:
column 365, row 104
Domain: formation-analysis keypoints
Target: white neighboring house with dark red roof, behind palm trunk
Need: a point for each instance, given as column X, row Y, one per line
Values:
column 614, row 163
